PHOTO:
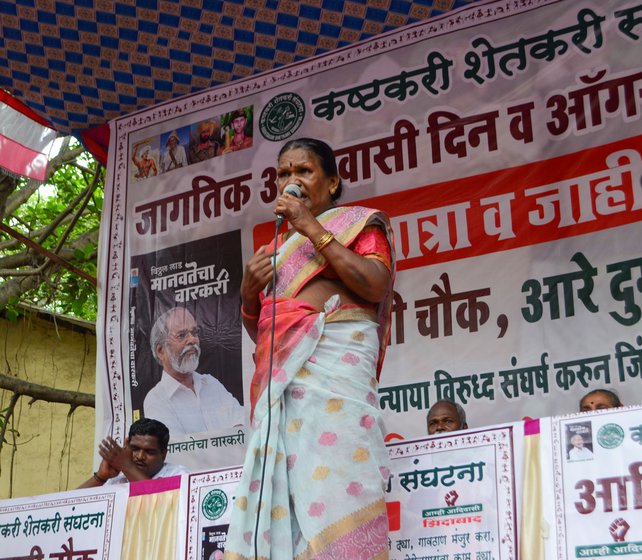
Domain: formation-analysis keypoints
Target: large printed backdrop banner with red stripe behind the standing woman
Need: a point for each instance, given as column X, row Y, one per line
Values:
column 503, row 139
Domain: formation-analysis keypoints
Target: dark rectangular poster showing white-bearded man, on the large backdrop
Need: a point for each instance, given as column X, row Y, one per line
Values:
column 186, row 363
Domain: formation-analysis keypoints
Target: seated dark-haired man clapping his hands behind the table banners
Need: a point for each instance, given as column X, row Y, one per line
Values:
column 142, row 458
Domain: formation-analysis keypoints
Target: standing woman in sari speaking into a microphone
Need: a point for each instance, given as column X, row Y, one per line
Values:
column 321, row 479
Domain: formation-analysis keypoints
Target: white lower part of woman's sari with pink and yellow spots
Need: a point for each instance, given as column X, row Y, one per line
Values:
column 326, row 499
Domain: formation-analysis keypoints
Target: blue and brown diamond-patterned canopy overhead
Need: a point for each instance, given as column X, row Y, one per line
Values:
column 80, row 63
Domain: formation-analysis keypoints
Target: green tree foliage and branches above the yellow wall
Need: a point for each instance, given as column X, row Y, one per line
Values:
column 57, row 235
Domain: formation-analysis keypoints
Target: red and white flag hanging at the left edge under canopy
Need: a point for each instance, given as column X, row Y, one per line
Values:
column 25, row 139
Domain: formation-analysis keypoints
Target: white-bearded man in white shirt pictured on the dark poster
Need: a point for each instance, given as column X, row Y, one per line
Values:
column 184, row 400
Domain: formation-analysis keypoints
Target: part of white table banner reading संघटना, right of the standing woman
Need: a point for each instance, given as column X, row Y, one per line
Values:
column 454, row 496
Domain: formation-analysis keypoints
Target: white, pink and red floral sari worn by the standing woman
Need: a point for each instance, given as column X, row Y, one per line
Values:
column 326, row 464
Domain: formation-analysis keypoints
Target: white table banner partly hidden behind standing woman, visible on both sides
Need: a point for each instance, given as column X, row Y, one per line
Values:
column 449, row 496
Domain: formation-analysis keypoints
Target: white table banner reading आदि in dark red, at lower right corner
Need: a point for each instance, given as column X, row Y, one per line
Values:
column 598, row 484
